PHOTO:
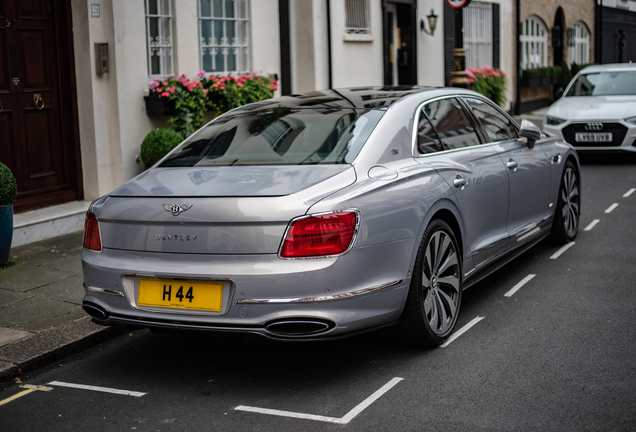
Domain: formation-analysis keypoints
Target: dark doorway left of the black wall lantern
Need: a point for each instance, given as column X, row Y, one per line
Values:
column 400, row 33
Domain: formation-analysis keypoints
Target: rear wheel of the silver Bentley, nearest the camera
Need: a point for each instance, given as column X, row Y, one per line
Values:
column 435, row 294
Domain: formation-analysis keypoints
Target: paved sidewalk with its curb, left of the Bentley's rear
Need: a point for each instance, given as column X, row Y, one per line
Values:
column 41, row 316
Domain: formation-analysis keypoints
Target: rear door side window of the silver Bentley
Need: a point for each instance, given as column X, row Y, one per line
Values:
column 451, row 123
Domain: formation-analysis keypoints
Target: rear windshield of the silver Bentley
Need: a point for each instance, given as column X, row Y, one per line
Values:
column 278, row 136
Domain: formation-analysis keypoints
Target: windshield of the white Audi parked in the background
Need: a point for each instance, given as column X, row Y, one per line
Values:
column 604, row 84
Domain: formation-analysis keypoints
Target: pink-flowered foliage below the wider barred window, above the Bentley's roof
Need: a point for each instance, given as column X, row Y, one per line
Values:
column 231, row 92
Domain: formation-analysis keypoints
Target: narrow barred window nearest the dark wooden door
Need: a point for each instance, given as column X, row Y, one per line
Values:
column 159, row 39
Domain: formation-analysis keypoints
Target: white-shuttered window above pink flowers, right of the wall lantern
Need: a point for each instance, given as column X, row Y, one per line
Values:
column 477, row 17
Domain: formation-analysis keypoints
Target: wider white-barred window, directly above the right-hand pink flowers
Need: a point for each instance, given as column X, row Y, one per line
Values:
column 224, row 35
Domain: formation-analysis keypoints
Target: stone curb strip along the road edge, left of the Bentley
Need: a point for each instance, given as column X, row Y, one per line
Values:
column 47, row 346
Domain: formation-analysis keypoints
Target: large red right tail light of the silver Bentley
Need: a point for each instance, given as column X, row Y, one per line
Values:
column 320, row 235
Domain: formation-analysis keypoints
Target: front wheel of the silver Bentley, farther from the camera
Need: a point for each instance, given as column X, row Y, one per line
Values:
column 567, row 212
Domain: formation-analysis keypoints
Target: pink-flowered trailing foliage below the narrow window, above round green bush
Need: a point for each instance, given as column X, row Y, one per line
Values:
column 190, row 102
